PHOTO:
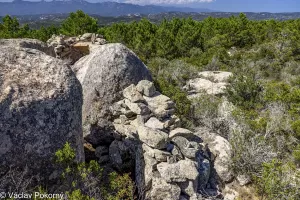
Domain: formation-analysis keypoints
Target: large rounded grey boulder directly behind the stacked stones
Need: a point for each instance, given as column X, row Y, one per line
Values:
column 103, row 74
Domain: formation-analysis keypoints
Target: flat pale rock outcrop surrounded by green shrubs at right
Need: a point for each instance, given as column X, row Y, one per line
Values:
column 209, row 82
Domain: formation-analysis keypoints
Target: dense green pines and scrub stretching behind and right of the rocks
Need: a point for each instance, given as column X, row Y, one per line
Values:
column 265, row 89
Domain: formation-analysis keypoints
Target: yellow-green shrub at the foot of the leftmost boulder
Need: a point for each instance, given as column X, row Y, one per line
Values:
column 82, row 178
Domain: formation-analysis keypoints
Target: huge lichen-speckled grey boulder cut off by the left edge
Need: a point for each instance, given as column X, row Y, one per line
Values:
column 40, row 106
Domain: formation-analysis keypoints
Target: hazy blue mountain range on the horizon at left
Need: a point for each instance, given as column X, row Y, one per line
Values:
column 20, row 7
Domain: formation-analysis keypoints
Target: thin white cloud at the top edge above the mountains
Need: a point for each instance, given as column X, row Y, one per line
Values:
column 147, row 2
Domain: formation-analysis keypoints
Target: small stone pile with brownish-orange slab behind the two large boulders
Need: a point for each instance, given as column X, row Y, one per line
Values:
column 74, row 48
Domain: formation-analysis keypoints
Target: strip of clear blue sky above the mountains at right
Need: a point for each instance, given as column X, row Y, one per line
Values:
column 223, row 5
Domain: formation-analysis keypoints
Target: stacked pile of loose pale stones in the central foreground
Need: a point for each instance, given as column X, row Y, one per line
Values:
column 170, row 161
